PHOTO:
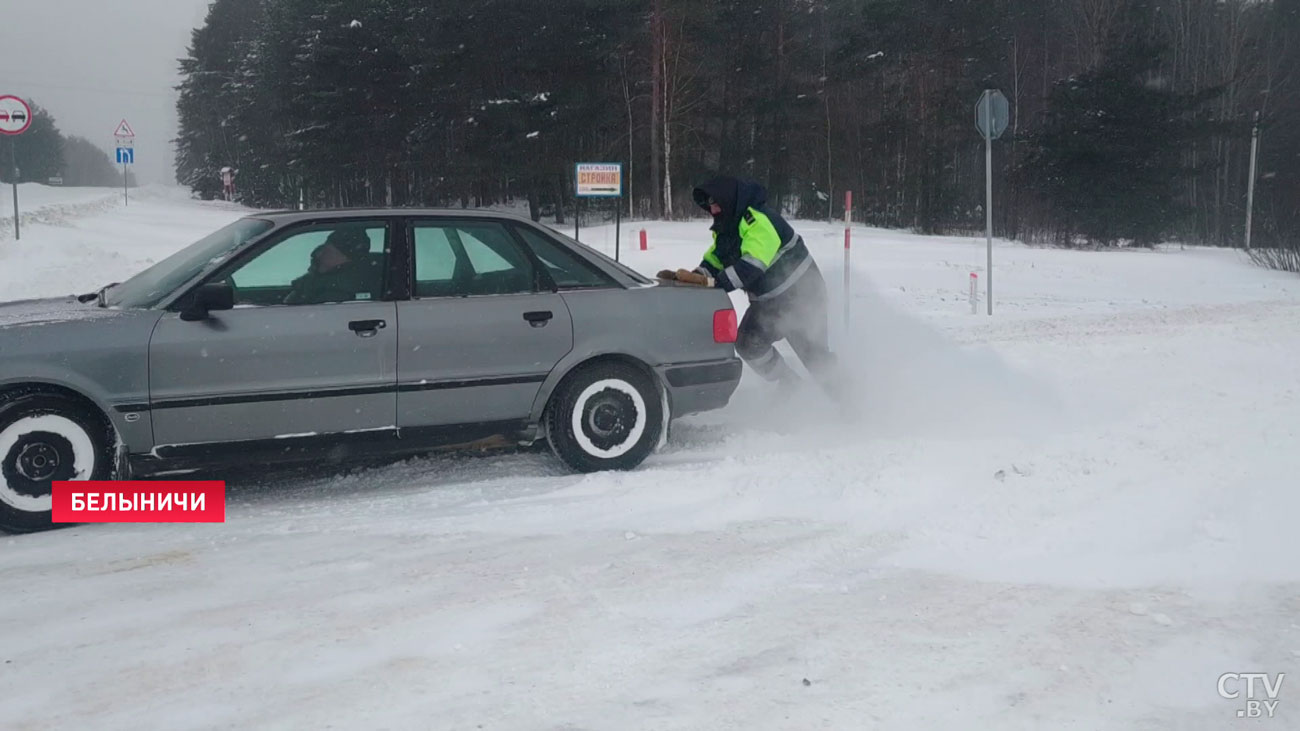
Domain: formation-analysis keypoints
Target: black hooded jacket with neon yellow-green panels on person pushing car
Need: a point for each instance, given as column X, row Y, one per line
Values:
column 755, row 249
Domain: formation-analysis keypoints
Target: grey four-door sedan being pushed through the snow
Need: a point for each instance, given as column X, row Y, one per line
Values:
column 309, row 336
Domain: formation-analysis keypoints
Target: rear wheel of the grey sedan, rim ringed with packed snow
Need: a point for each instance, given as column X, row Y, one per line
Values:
column 605, row 417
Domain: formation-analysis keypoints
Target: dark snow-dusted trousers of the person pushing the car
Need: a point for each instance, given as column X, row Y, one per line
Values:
column 799, row 315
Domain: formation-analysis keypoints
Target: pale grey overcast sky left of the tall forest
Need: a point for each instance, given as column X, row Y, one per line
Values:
column 94, row 63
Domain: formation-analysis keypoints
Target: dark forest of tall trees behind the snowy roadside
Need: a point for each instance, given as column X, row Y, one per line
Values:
column 404, row 102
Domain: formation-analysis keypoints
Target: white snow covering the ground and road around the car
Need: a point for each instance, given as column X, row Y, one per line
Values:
column 1076, row 514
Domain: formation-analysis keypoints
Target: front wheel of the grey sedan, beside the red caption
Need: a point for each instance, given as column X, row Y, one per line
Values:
column 46, row 438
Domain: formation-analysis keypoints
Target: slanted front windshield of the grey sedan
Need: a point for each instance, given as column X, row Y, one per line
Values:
column 153, row 286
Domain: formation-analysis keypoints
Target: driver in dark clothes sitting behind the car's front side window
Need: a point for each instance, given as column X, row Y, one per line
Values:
column 341, row 271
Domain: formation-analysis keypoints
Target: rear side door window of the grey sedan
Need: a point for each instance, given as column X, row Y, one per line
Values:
column 467, row 259
